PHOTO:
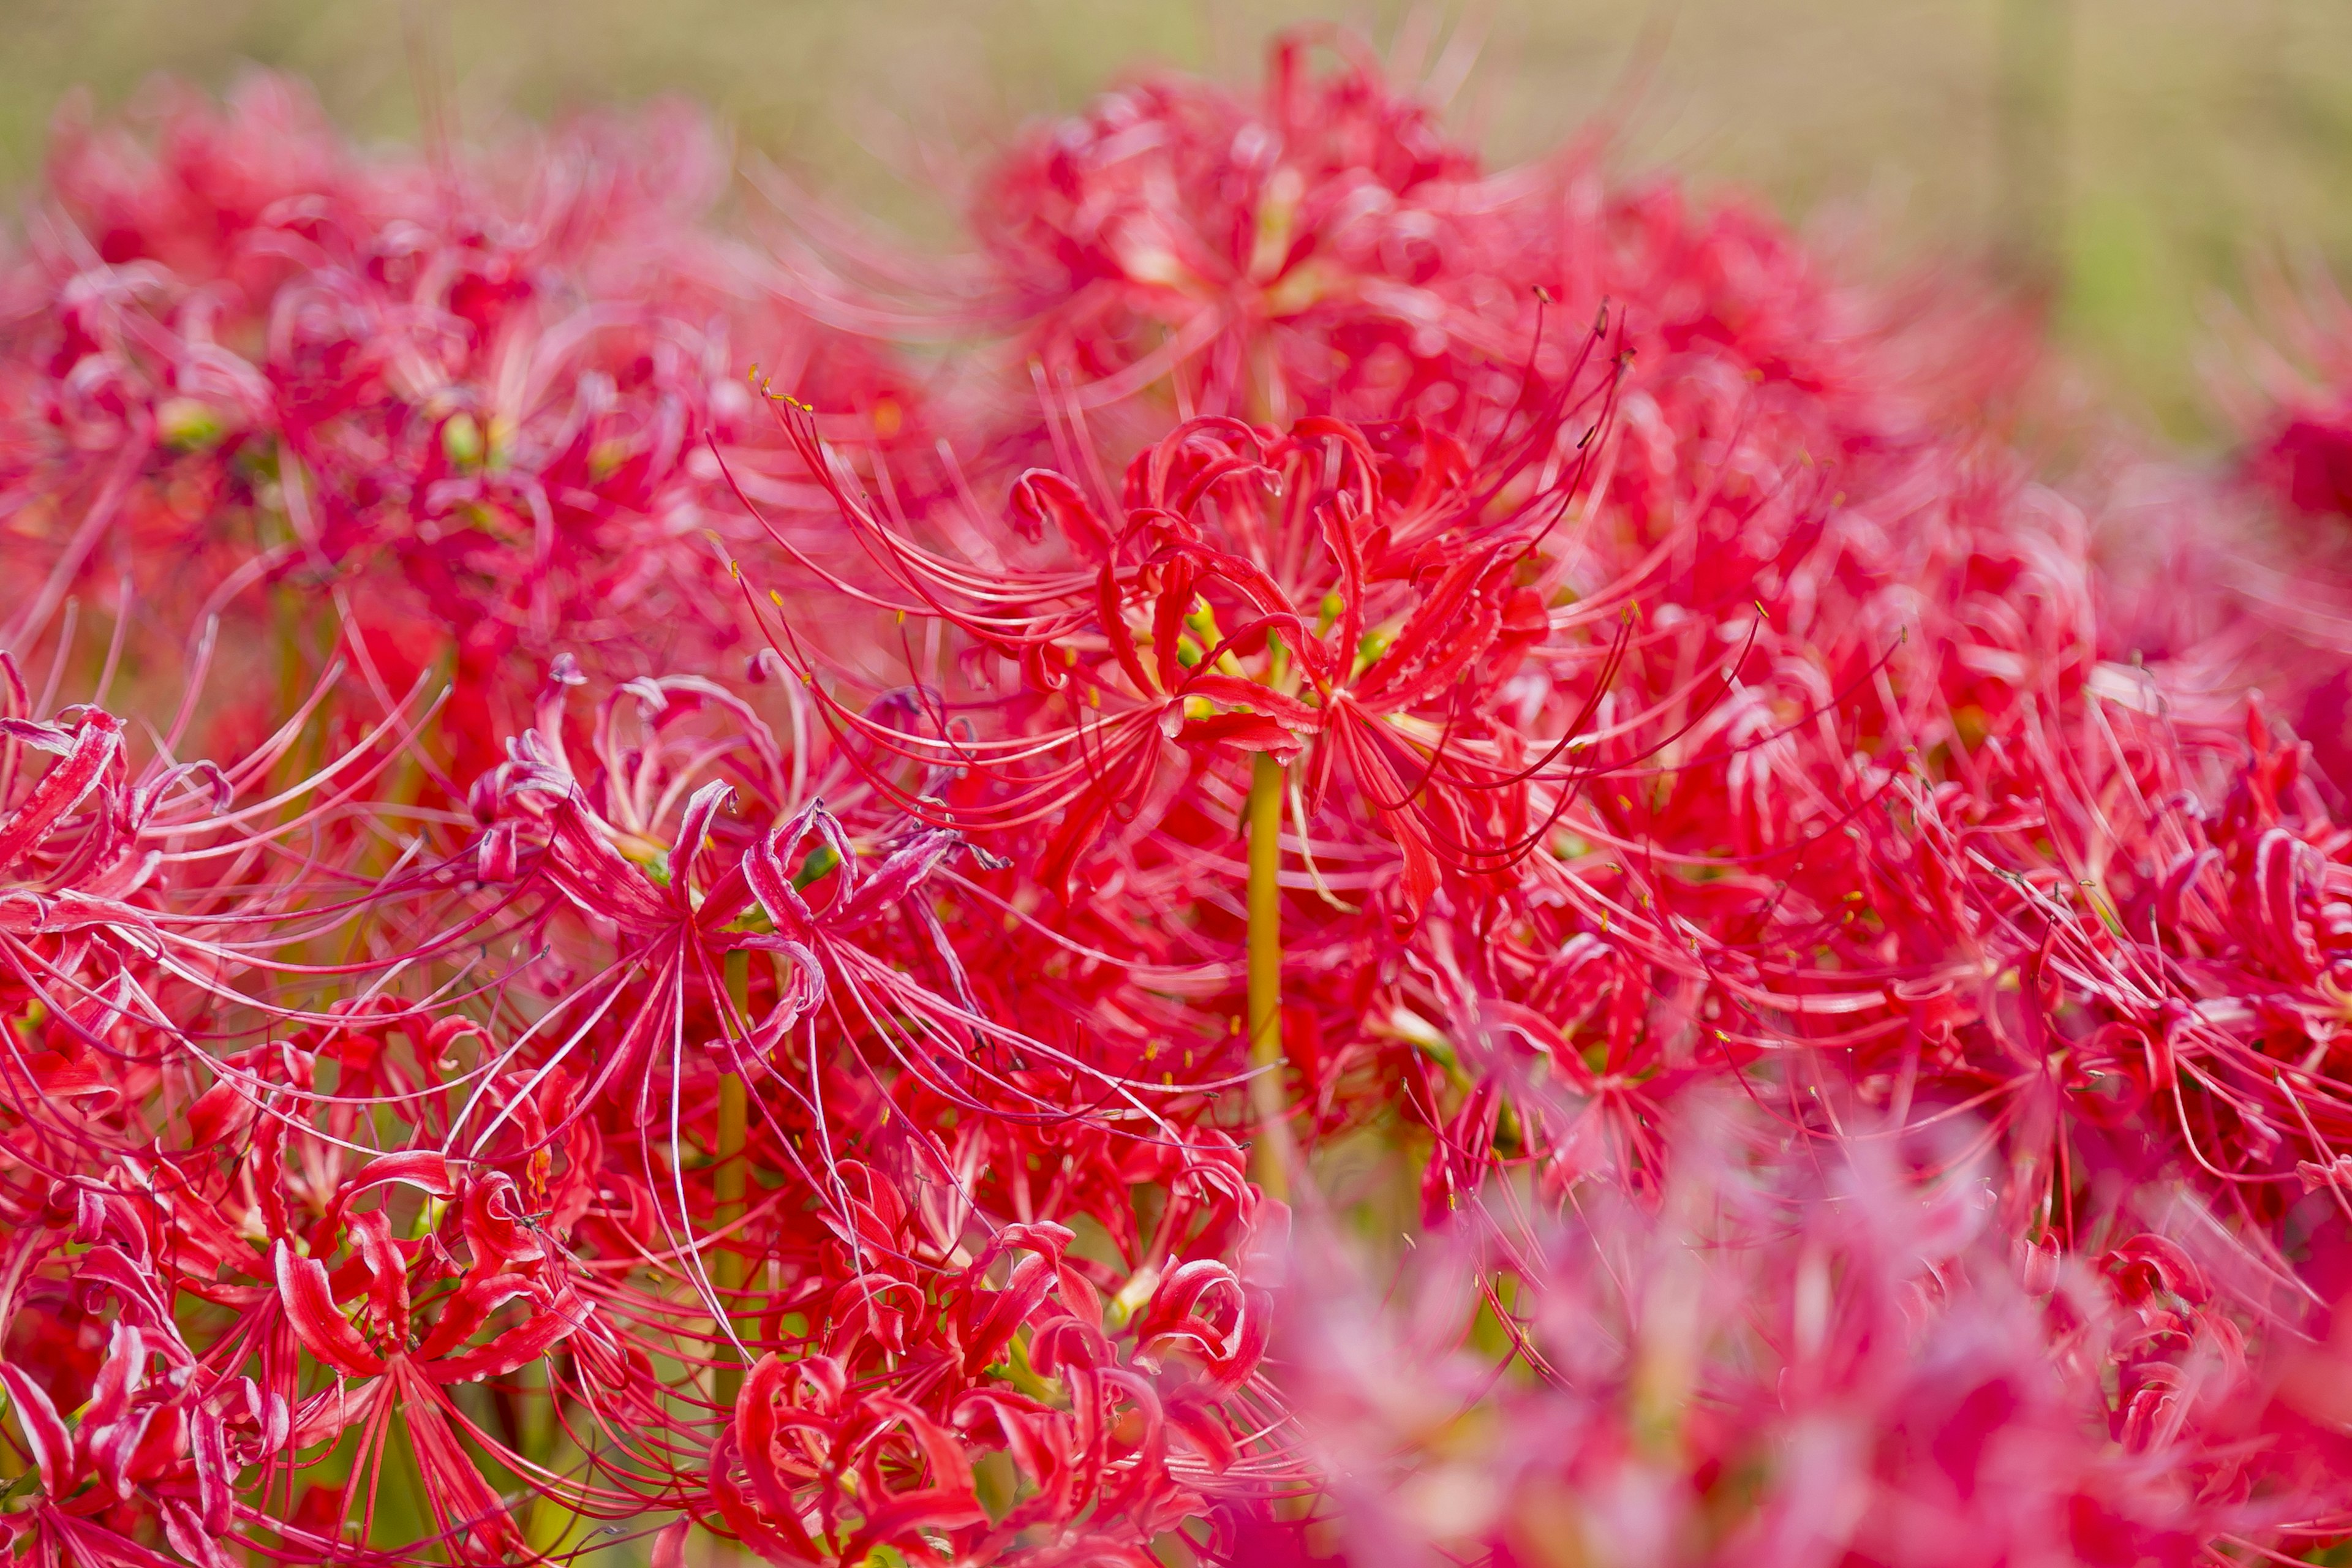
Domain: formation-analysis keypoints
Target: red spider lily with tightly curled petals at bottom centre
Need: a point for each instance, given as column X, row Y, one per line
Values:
column 973, row 1386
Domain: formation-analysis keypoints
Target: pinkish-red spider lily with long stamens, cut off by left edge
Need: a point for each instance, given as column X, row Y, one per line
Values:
column 154, row 911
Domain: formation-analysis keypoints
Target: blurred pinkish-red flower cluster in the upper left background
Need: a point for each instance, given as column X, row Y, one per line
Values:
column 250, row 370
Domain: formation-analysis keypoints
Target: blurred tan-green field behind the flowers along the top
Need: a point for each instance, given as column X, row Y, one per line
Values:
column 2158, row 152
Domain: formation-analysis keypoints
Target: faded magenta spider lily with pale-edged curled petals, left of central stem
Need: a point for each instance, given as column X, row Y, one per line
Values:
column 728, row 885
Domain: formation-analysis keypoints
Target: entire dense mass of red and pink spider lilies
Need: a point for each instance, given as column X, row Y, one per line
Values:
column 1424, row 866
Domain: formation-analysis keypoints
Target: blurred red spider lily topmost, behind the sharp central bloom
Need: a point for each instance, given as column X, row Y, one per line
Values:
column 1325, row 250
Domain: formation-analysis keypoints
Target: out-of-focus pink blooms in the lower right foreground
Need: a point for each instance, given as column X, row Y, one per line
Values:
column 1793, row 1360
